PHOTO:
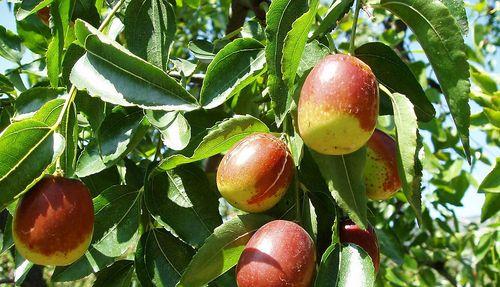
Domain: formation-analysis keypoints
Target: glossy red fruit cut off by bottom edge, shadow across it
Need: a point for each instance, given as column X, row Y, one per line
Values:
column 280, row 253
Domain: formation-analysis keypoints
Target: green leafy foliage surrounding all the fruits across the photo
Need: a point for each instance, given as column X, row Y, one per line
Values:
column 140, row 98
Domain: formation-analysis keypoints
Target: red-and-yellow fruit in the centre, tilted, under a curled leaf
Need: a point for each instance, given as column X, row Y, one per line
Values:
column 255, row 174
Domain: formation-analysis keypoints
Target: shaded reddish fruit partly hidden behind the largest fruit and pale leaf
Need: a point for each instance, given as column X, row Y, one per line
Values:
column 381, row 170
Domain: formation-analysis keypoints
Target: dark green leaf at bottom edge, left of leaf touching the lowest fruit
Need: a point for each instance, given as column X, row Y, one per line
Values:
column 161, row 258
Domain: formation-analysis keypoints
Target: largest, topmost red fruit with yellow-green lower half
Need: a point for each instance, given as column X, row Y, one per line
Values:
column 338, row 105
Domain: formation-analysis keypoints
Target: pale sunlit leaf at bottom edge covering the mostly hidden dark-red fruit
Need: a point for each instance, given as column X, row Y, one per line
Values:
column 356, row 267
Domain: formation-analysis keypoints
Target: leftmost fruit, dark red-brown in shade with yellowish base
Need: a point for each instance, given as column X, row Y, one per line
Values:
column 53, row 223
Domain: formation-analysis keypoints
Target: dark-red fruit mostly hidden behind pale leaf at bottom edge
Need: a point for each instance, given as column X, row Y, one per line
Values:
column 366, row 239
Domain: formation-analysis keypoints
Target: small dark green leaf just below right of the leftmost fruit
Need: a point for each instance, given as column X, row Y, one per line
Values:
column 91, row 262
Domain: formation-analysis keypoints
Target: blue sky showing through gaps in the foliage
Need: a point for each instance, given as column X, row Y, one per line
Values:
column 472, row 201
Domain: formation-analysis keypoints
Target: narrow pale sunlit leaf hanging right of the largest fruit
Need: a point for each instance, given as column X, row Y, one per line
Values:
column 409, row 145
